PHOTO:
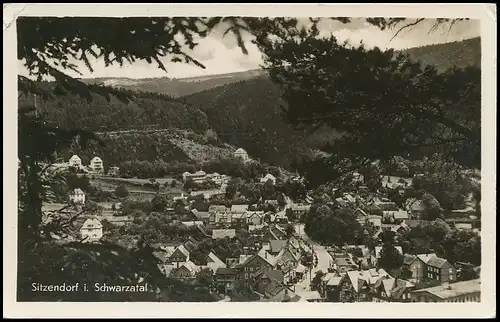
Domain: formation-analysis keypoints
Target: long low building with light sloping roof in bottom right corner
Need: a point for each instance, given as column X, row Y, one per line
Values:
column 460, row 292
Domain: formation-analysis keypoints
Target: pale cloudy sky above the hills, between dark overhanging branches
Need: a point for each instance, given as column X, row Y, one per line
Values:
column 221, row 55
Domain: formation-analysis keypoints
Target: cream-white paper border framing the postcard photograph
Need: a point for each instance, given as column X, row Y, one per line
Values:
column 485, row 12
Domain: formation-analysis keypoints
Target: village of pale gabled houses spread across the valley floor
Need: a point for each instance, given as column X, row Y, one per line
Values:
column 272, row 255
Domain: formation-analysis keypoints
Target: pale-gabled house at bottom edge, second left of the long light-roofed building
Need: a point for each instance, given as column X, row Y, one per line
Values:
column 356, row 285
